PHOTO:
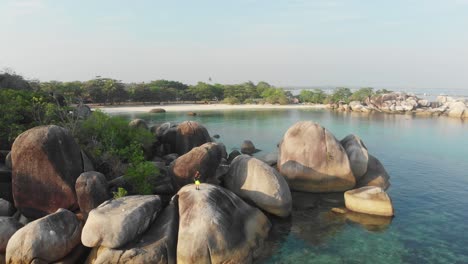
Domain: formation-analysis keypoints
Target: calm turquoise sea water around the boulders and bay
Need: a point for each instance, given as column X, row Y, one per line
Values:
column 427, row 159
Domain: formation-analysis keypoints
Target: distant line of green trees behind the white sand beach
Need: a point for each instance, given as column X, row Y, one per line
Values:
column 111, row 91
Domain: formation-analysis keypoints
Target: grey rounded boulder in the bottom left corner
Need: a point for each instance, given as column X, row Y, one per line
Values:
column 45, row 240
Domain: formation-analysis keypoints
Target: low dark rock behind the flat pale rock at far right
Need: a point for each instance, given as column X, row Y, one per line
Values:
column 376, row 175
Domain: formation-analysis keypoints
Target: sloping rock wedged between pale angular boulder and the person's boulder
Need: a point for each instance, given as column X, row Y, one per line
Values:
column 157, row 245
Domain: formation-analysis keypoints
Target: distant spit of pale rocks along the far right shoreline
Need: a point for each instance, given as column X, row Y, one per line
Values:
column 408, row 103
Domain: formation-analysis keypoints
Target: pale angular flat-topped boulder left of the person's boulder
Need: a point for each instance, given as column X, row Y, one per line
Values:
column 117, row 222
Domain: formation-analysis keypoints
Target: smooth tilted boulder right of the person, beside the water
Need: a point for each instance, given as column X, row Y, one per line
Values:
column 256, row 181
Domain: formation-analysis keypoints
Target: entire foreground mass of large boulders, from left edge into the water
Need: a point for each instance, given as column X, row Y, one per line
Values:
column 61, row 211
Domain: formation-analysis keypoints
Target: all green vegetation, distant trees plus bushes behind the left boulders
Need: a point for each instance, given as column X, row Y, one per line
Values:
column 115, row 148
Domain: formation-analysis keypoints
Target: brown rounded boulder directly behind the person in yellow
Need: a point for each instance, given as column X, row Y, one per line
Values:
column 205, row 159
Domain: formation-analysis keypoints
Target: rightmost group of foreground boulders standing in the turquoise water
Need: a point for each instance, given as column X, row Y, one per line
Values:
column 313, row 160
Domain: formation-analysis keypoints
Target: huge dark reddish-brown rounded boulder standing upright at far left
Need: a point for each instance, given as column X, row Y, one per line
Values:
column 47, row 161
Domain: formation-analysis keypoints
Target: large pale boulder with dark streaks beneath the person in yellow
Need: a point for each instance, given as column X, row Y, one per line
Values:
column 216, row 226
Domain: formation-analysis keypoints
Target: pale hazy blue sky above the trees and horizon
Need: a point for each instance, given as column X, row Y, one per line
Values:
column 402, row 43
